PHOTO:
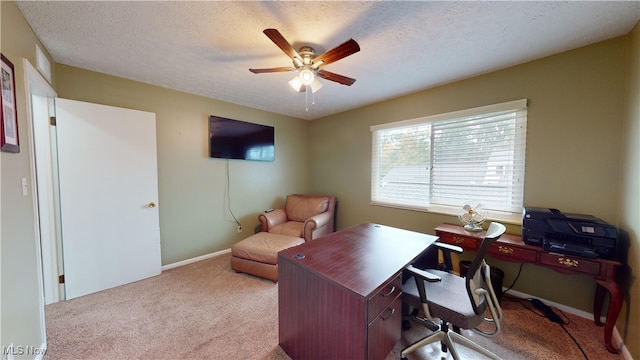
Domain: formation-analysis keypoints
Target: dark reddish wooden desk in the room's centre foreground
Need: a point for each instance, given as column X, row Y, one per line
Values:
column 340, row 296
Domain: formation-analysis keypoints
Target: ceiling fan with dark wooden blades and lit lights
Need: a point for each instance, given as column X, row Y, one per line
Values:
column 308, row 65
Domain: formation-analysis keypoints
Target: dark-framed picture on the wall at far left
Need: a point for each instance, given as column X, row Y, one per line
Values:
column 9, row 141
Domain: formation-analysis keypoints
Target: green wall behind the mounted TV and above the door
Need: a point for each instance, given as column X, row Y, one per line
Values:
column 194, row 217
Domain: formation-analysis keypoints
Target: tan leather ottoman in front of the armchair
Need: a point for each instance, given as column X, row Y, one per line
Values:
column 258, row 254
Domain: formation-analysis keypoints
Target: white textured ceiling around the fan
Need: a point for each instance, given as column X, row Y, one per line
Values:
column 206, row 47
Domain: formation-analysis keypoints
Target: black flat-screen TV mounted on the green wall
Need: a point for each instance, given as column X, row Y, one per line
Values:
column 235, row 139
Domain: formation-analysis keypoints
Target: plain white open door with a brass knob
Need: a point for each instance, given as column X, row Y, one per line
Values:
column 108, row 195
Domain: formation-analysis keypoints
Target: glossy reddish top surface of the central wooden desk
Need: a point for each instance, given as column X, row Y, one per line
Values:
column 362, row 257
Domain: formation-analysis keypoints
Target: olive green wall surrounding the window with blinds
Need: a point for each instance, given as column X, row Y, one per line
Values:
column 575, row 117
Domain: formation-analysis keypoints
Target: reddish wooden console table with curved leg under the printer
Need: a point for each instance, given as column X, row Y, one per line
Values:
column 511, row 248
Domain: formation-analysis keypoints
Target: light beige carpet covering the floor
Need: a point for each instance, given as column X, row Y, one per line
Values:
column 207, row 311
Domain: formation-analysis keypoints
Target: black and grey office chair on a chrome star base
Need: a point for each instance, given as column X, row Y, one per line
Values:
column 447, row 299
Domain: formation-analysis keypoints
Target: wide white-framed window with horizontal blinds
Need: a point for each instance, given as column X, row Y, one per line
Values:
column 439, row 163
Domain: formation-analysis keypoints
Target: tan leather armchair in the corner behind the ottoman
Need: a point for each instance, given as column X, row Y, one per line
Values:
column 303, row 216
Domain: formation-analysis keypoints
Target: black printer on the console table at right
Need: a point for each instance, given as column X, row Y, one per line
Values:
column 574, row 234
